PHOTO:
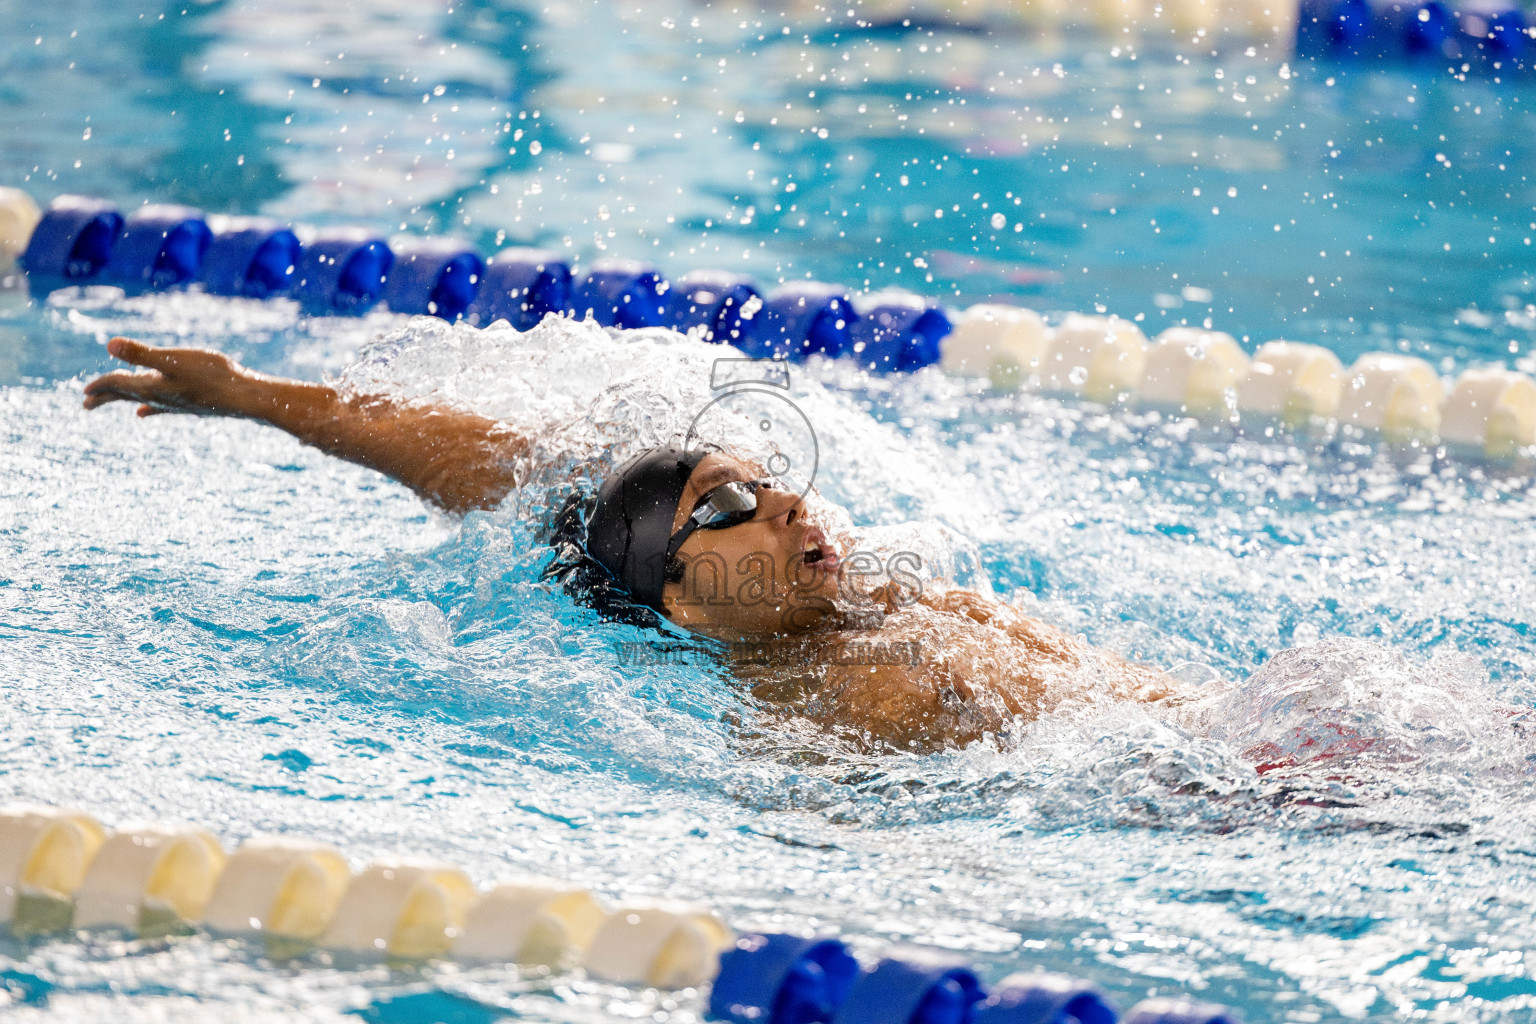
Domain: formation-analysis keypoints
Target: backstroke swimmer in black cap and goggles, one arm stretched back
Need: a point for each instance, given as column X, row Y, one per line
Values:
column 672, row 530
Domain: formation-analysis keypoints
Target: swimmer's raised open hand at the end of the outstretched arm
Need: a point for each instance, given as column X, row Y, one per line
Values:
column 173, row 382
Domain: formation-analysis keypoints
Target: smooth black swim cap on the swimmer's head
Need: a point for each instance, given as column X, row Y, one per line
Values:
column 632, row 523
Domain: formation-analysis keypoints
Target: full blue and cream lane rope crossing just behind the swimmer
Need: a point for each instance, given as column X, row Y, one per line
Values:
column 1488, row 414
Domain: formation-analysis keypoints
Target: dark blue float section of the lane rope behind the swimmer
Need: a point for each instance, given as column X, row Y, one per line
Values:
column 346, row 271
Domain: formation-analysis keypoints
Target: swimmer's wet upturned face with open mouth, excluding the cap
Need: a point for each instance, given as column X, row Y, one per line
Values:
column 769, row 576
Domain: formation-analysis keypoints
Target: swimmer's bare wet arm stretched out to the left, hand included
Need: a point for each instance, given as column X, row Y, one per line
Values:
column 455, row 460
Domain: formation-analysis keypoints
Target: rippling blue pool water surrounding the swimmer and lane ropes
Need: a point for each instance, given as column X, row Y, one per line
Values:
column 207, row 623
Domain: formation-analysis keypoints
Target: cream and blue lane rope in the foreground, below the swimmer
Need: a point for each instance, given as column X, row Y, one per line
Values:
column 62, row 871
